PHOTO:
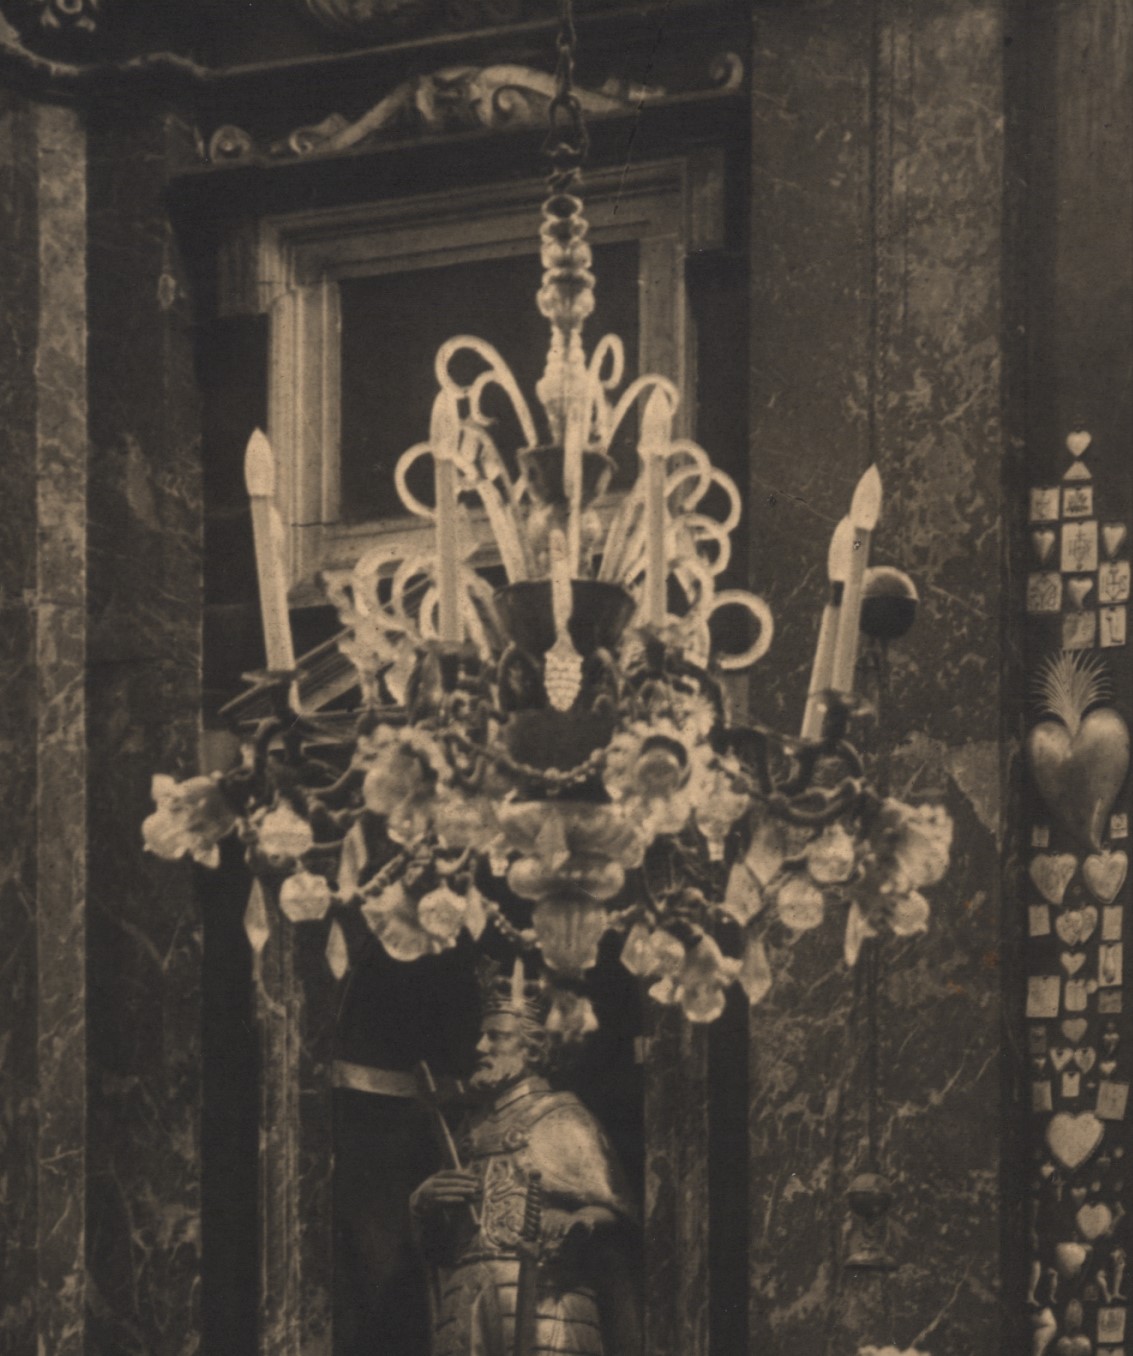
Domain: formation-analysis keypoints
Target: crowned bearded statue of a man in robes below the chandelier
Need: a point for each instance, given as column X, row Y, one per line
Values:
column 573, row 1283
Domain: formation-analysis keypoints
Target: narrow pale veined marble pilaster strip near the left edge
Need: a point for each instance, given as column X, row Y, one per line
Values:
column 62, row 763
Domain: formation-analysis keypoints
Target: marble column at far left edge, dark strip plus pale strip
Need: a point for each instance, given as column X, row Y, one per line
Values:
column 44, row 729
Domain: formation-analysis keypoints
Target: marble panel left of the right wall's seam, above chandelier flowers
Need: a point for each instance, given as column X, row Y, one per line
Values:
column 810, row 321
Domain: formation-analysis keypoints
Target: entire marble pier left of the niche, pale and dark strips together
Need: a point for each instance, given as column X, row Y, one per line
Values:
column 100, row 661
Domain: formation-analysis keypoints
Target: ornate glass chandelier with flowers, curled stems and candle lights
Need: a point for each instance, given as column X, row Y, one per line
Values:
column 541, row 764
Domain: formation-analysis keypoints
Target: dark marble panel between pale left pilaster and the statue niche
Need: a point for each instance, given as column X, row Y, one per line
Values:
column 144, row 696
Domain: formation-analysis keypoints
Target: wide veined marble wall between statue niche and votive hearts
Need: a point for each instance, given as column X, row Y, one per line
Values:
column 878, row 334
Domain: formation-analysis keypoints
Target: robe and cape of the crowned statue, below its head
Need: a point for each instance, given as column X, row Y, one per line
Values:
column 585, row 1300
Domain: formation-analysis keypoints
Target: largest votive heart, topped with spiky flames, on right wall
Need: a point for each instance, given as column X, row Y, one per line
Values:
column 1081, row 757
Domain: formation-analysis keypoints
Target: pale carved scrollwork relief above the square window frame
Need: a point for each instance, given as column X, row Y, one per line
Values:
column 456, row 100
